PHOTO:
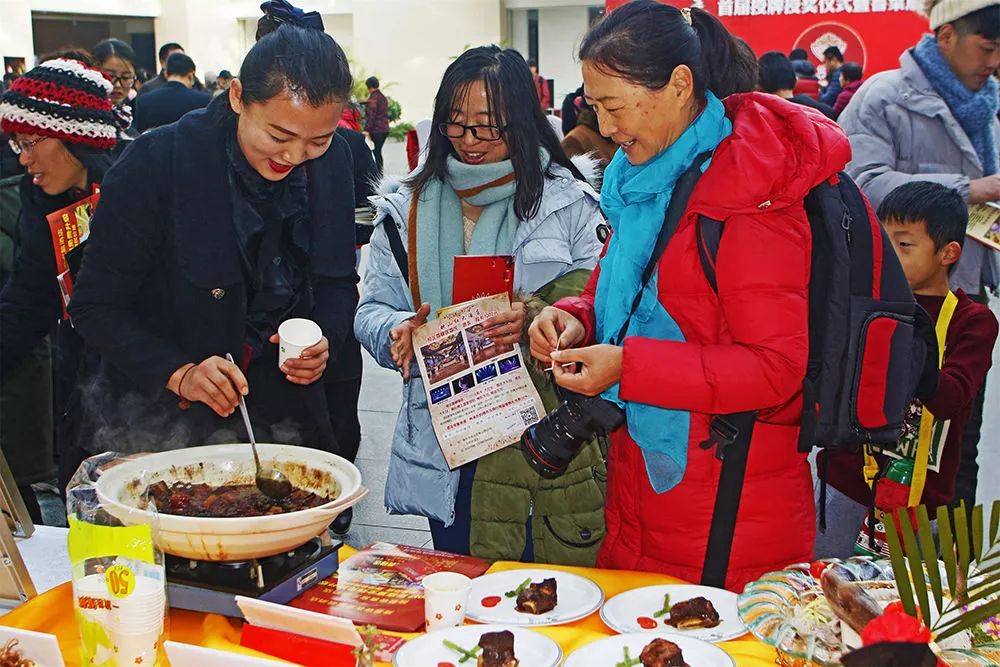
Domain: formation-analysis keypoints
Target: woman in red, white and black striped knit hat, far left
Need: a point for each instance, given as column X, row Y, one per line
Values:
column 62, row 127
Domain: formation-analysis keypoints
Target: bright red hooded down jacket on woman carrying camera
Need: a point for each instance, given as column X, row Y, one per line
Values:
column 745, row 349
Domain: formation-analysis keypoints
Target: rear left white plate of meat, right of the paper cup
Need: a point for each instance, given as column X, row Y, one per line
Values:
column 576, row 597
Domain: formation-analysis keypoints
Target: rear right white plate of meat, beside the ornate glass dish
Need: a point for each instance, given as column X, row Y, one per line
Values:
column 621, row 612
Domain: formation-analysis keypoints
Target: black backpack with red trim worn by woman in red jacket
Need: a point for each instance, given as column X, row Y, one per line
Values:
column 871, row 348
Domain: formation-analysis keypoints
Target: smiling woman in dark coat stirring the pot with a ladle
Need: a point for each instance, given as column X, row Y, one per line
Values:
column 210, row 233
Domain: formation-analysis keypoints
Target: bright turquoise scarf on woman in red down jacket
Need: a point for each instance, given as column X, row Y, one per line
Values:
column 635, row 199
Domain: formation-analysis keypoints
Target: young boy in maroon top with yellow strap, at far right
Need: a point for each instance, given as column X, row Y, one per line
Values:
column 926, row 223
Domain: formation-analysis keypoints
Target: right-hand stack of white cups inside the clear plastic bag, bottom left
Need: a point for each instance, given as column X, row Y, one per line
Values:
column 136, row 623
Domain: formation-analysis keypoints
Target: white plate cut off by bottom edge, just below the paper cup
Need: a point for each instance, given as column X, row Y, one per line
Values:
column 531, row 648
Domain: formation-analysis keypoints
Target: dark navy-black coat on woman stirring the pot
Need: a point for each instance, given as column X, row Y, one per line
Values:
column 162, row 285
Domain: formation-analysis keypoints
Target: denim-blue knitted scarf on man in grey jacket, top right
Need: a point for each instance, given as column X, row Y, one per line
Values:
column 974, row 111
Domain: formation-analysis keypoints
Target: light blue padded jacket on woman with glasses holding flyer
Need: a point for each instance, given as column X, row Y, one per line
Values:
column 561, row 238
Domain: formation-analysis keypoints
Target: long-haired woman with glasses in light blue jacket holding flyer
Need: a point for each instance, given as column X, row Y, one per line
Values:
column 495, row 182
